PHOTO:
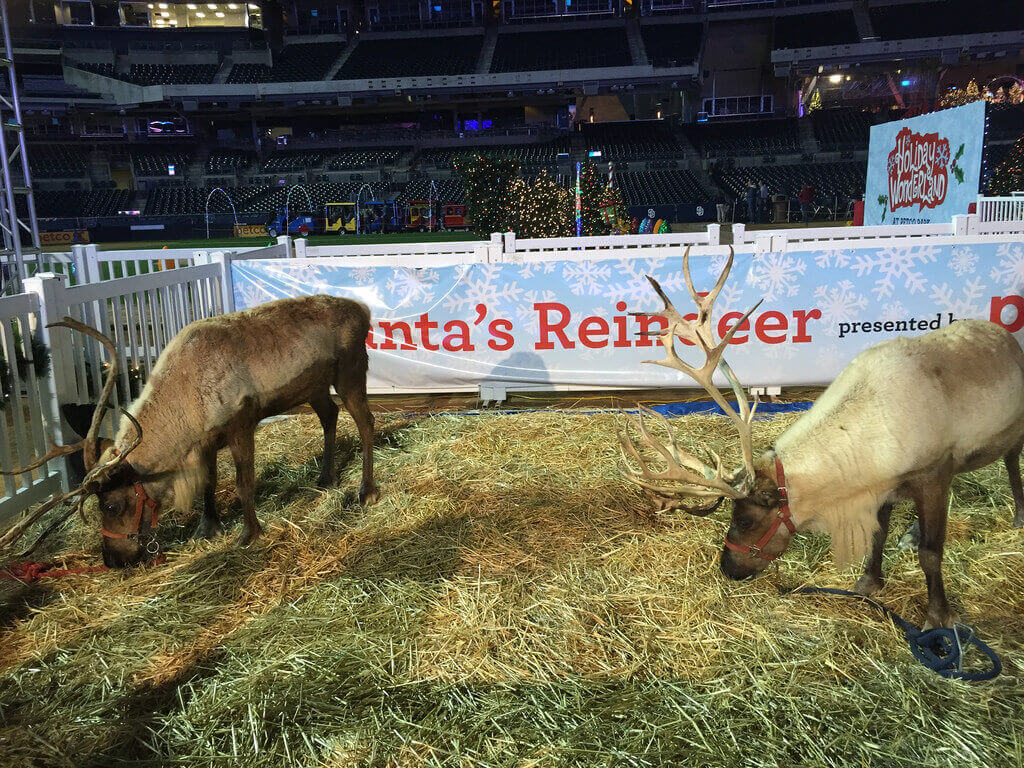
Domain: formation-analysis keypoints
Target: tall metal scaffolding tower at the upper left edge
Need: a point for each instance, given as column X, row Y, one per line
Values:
column 16, row 184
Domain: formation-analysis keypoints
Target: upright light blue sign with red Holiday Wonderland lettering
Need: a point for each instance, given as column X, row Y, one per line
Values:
column 925, row 169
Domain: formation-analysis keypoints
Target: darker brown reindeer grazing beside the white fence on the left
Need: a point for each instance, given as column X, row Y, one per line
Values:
column 209, row 390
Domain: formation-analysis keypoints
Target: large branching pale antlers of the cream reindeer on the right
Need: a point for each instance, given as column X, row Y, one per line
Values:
column 687, row 475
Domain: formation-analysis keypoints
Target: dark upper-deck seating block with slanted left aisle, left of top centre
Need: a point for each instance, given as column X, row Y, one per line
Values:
column 412, row 57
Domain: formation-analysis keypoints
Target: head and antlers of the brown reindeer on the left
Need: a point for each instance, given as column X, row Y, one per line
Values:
column 107, row 476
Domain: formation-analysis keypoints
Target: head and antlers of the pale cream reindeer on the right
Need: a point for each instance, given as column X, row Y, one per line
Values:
column 759, row 508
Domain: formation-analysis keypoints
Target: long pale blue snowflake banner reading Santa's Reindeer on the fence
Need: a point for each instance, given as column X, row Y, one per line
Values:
column 568, row 323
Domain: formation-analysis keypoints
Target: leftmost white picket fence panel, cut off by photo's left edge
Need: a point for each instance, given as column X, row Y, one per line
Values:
column 25, row 429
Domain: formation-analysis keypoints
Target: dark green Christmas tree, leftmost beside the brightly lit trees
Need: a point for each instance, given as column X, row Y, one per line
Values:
column 489, row 181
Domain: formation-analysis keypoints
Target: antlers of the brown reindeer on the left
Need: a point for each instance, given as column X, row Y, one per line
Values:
column 97, row 474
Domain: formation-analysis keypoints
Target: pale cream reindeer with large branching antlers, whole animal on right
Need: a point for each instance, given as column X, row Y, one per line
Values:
column 903, row 419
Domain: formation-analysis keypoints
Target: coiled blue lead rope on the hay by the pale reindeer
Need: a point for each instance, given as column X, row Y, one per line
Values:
column 941, row 650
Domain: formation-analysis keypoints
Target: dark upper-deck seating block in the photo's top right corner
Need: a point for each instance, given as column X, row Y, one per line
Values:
column 947, row 18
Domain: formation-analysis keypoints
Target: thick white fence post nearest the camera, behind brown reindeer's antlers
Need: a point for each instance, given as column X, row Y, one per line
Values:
column 61, row 383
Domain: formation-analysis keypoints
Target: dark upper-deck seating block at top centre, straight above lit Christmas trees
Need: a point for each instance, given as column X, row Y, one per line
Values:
column 558, row 51
